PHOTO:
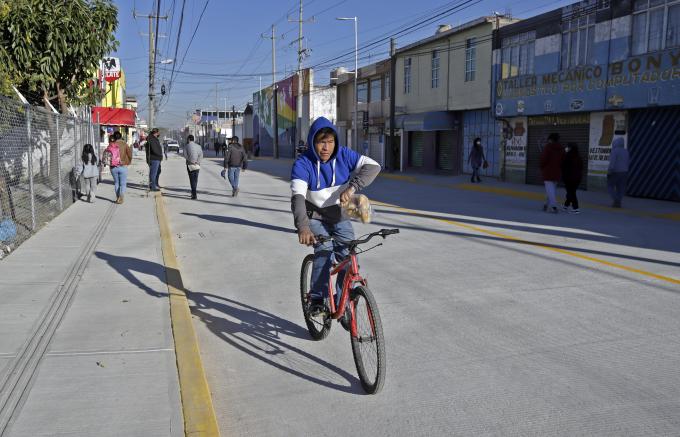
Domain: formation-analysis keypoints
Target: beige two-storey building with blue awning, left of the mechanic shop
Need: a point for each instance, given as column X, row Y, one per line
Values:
column 442, row 98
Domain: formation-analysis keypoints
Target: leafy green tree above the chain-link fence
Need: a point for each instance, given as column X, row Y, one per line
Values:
column 51, row 48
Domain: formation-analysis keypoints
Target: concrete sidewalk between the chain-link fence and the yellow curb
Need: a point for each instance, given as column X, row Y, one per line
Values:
column 86, row 345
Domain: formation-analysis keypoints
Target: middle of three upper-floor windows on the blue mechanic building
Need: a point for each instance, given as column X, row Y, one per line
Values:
column 578, row 39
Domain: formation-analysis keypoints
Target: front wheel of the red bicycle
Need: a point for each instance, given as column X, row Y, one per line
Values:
column 368, row 346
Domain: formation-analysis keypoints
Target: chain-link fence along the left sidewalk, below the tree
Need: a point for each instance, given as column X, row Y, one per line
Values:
column 38, row 152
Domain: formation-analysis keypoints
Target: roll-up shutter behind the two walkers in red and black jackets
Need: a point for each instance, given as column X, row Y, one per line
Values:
column 569, row 133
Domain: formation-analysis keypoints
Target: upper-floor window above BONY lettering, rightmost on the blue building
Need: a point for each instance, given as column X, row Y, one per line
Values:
column 656, row 25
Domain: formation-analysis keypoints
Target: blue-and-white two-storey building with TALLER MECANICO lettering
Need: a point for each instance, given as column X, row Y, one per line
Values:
column 593, row 71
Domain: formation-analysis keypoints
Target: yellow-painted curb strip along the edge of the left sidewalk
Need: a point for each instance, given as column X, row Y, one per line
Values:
column 197, row 406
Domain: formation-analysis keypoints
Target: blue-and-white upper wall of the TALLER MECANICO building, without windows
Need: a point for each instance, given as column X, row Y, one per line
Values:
column 615, row 80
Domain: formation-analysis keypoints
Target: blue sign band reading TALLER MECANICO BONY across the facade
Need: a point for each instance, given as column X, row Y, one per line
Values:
column 646, row 69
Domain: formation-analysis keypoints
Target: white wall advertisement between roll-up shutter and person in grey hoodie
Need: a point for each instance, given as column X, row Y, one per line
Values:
column 604, row 127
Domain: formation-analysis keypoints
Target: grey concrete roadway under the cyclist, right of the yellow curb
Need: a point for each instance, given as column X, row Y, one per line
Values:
column 486, row 334
